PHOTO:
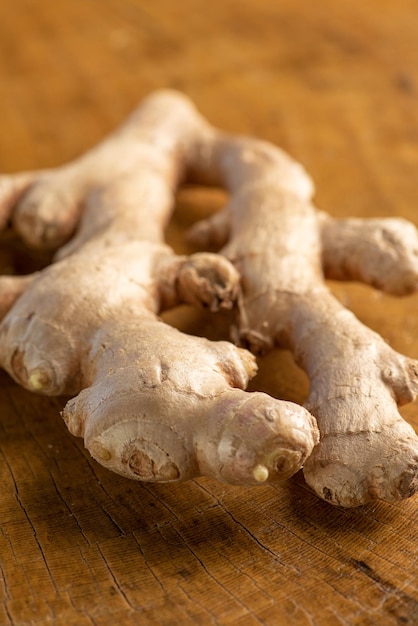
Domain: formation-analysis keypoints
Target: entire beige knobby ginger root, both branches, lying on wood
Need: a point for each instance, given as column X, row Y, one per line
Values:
column 282, row 248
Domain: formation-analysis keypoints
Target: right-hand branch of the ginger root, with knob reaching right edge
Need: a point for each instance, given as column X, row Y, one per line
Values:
column 282, row 246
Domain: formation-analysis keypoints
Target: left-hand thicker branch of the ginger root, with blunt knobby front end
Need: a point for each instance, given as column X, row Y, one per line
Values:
column 150, row 402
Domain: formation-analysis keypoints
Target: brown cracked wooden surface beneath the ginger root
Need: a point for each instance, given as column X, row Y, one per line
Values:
column 336, row 84
